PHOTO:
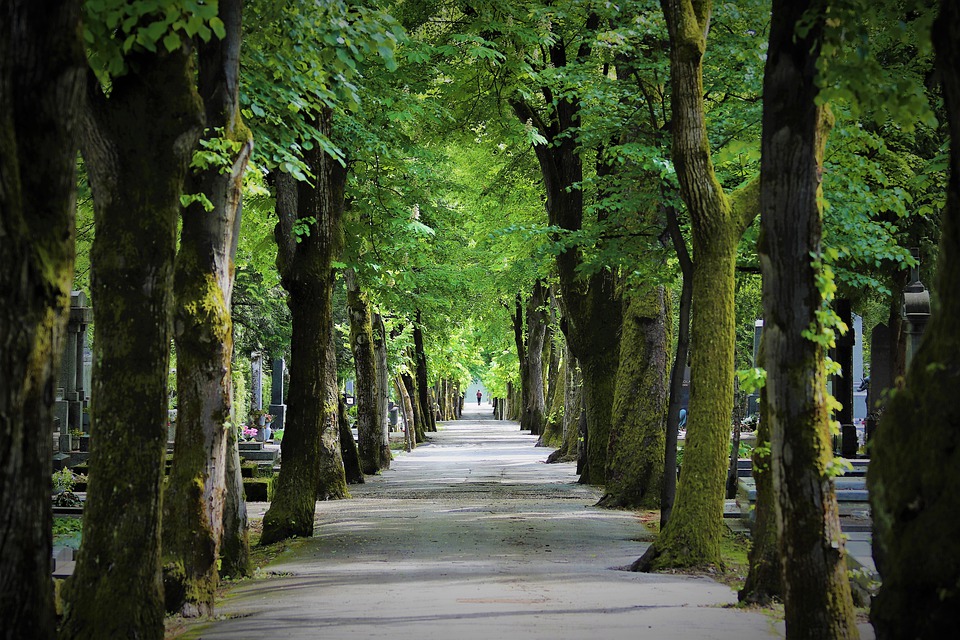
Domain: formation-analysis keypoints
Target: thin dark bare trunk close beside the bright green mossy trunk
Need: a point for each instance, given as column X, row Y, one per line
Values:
column 669, row 489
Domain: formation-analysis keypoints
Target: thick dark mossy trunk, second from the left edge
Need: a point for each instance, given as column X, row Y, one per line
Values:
column 137, row 143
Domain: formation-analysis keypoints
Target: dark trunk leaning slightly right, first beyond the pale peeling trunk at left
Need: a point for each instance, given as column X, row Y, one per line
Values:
column 305, row 263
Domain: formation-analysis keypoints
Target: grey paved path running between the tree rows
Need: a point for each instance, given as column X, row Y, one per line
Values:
column 472, row 537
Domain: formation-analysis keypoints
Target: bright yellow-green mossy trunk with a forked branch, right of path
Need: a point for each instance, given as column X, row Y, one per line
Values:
column 692, row 536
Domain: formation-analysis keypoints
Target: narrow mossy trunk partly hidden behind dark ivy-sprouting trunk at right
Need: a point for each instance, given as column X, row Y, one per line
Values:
column 764, row 582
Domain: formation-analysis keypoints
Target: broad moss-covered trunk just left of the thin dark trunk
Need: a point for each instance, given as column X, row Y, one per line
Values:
column 637, row 434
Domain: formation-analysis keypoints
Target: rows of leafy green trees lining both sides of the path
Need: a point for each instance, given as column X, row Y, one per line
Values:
column 414, row 151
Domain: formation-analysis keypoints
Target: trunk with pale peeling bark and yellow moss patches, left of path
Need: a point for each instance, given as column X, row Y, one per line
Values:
column 203, row 285
